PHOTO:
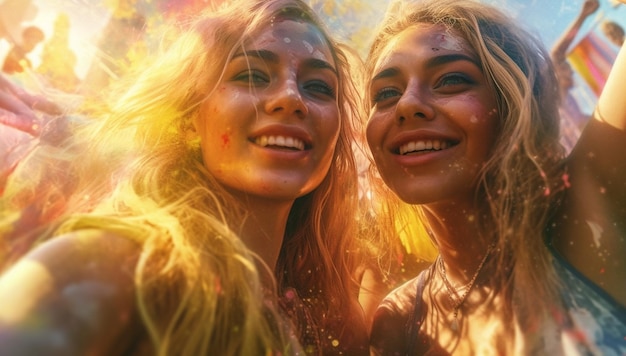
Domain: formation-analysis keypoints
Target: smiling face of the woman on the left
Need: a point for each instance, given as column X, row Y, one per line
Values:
column 270, row 127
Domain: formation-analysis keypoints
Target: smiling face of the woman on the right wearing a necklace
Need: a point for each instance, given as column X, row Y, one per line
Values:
column 434, row 119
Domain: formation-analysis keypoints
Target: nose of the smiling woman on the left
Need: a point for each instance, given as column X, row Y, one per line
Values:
column 286, row 99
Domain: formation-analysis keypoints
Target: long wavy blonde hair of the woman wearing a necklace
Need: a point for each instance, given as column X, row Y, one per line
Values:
column 521, row 182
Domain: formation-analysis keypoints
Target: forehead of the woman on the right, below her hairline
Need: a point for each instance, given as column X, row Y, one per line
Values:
column 424, row 40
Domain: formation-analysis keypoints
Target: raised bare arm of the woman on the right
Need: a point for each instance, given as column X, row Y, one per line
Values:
column 592, row 237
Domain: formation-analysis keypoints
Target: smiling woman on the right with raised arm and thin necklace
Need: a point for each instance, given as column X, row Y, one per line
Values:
column 464, row 126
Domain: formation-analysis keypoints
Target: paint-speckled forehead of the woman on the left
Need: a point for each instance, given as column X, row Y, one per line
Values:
column 292, row 36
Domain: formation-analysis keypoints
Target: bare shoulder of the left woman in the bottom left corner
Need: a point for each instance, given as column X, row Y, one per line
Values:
column 72, row 294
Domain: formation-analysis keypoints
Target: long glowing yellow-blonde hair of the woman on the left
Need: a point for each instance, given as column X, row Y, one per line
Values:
column 136, row 171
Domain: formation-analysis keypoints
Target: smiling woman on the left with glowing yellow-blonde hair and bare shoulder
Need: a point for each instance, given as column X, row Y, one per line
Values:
column 208, row 212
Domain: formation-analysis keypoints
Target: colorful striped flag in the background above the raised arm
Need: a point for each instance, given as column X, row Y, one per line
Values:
column 592, row 59
